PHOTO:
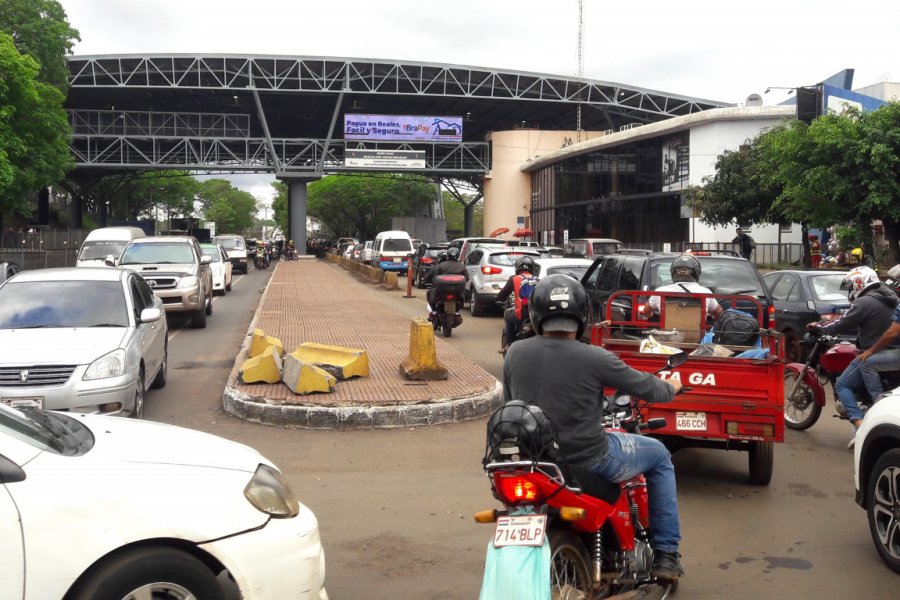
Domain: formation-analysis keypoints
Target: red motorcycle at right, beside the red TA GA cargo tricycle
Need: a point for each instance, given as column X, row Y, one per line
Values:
column 804, row 384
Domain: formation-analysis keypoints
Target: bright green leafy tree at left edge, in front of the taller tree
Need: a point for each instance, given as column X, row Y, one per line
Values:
column 33, row 148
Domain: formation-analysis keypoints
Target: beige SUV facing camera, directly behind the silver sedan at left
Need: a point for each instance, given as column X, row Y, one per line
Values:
column 177, row 271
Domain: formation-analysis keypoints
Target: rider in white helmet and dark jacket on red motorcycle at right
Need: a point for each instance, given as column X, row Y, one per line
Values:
column 872, row 304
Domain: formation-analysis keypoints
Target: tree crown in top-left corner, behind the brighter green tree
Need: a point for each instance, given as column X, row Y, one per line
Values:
column 40, row 29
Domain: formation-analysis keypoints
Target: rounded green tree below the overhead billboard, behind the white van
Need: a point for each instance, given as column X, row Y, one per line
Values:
column 363, row 205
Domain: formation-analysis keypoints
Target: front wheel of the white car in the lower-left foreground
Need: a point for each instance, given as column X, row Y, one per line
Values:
column 159, row 573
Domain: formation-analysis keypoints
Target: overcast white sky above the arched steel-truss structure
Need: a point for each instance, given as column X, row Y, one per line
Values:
column 711, row 49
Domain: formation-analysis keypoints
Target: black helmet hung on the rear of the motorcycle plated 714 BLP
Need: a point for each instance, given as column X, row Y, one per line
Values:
column 520, row 431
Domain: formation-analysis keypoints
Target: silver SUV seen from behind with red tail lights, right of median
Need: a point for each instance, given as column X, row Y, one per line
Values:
column 489, row 268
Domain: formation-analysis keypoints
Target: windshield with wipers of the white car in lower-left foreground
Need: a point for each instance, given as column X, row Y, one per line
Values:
column 47, row 431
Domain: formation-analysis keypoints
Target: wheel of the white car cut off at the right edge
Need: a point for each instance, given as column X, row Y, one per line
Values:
column 883, row 507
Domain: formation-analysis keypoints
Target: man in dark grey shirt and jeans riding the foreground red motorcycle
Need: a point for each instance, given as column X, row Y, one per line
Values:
column 566, row 378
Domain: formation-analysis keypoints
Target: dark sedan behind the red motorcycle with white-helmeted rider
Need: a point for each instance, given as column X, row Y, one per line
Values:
column 803, row 297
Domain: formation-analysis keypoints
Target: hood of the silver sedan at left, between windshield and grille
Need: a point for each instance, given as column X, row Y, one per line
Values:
column 70, row 346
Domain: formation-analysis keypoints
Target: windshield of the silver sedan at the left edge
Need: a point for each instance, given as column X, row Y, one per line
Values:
column 38, row 304
